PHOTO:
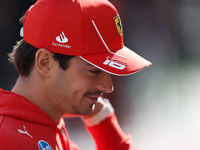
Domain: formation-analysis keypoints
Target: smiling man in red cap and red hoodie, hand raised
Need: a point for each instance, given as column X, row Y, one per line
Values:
column 65, row 60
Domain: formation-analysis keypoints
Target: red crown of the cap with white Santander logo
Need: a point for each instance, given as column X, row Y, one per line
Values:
column 76, row 25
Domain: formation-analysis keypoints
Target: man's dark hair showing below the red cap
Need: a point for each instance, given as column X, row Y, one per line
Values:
column 23, row 57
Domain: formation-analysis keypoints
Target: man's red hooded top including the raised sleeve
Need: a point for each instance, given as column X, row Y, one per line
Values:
column 24, row 126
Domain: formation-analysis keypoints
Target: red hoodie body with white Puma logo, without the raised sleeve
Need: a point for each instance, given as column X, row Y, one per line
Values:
column 24, row 126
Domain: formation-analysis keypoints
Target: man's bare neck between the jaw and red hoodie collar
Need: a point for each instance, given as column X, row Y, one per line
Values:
column 34, row 91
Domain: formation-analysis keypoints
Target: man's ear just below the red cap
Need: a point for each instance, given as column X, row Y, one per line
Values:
column 43, row 62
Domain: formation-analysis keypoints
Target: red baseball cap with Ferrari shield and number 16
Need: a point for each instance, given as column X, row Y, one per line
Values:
column 90, row 29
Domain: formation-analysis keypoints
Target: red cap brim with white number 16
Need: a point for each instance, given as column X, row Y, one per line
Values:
column 121, row 62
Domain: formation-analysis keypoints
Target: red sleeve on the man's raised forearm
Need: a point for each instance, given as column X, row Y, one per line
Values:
column 109, row 136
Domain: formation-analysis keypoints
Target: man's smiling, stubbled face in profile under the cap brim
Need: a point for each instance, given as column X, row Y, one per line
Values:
column 76, row 90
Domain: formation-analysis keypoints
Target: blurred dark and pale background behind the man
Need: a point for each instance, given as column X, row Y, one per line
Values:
column 159, row 106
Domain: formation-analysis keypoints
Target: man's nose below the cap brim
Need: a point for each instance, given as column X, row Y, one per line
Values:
column 105, row 83
